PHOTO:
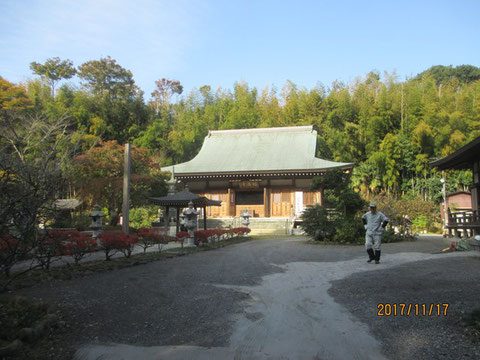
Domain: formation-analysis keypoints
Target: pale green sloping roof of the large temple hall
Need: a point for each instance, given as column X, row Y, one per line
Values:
column 257, row 150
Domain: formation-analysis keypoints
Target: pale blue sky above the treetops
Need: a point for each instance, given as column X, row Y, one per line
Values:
column 263, row 43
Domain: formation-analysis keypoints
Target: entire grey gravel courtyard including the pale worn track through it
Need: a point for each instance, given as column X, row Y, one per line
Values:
column 268, row 299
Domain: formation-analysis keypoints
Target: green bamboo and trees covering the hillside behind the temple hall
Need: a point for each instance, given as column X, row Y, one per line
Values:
column 391, row 128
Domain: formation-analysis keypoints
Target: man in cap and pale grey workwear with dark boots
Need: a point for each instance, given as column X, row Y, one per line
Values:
column 375, row 222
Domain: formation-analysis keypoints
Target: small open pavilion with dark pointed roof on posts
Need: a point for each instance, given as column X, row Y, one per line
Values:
column 180, row 200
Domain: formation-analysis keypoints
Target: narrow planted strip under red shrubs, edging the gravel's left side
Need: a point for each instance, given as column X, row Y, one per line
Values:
column 70, row 271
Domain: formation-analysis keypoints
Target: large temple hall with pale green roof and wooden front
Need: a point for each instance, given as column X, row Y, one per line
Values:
column 267, row 171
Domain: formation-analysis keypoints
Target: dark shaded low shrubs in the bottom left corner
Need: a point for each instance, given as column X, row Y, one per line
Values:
column 18, row 313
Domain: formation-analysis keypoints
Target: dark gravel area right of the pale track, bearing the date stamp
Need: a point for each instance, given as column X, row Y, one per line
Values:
column 448, row 280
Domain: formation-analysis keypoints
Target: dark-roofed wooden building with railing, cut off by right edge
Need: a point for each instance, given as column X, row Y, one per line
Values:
column 467, row 157
